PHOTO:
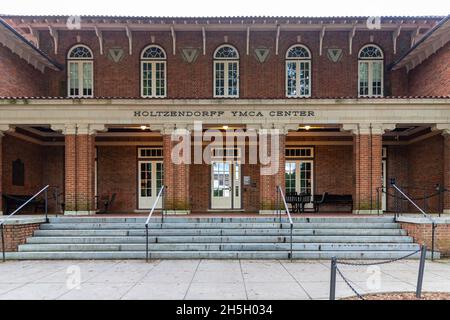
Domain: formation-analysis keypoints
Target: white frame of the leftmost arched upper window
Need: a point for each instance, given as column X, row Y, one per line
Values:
column 79, row 63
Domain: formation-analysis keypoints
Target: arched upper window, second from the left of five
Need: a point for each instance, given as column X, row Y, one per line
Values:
column 153, row 72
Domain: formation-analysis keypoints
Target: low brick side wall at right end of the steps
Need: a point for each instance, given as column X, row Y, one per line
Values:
column 422, row 233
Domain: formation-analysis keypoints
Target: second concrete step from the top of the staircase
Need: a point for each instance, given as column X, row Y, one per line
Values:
column 325, row 225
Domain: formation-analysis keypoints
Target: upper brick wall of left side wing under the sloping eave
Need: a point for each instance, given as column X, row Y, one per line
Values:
column 18, row 77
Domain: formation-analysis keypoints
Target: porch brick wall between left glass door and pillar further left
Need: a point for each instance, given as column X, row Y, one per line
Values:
column 117, row 173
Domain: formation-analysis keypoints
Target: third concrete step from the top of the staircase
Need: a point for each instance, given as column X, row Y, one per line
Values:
column 217, row 232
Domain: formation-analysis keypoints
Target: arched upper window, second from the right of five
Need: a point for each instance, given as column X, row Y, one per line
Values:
column 298, row 71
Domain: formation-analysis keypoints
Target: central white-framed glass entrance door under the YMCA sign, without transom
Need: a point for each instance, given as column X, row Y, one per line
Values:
column 225, row 185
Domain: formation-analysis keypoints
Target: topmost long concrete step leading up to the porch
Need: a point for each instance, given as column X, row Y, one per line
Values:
column 260, row 219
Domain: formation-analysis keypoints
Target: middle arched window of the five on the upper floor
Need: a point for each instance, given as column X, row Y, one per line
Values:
column 226, row 72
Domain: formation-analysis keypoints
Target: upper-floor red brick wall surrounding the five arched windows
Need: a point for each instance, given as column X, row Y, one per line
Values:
column 196, row 80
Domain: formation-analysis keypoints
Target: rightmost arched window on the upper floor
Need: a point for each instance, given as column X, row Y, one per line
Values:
column 370, row 71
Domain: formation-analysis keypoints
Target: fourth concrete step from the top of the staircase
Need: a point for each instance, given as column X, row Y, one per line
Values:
column 219, row 239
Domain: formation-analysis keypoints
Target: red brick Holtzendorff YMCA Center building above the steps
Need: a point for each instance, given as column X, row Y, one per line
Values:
column 89, row 105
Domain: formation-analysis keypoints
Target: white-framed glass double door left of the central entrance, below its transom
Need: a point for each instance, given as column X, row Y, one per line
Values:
column 150, row 182
